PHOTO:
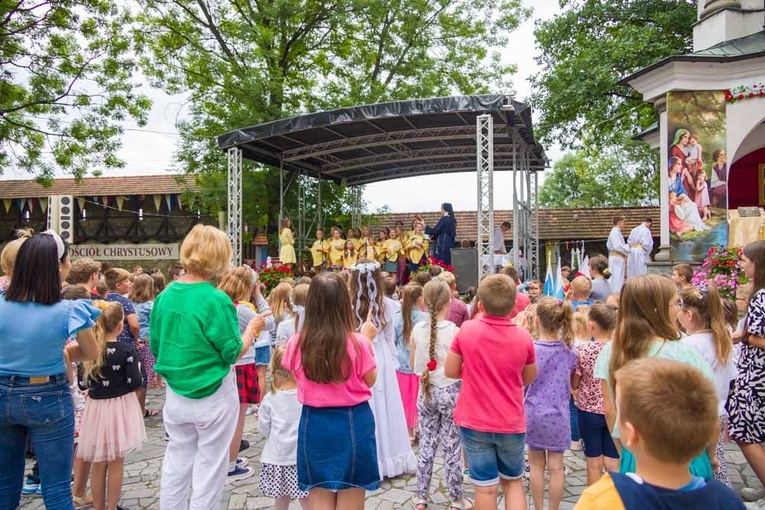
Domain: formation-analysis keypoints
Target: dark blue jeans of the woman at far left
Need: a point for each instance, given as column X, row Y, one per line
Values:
column 44, row 412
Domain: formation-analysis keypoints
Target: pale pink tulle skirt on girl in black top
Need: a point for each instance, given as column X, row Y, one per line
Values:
column 111, row 428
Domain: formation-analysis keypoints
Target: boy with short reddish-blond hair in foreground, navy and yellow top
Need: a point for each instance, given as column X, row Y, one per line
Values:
column 663, row 438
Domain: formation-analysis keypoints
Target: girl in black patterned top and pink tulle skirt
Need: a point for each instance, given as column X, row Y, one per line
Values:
column 112, row 425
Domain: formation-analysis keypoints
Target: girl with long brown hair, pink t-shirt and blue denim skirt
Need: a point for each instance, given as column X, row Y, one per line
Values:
column 334, row 369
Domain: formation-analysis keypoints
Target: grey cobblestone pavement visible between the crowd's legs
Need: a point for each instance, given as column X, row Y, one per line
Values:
column 143, row 468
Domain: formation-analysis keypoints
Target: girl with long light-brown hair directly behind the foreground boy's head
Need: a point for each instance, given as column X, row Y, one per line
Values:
column 645, row 327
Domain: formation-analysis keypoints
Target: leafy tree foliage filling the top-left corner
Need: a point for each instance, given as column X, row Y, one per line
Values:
column 65, row 86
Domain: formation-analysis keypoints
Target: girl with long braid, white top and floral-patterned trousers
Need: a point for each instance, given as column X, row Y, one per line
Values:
column 430, row 343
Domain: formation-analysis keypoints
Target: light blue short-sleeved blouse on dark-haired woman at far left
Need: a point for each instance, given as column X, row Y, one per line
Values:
column 33, row 335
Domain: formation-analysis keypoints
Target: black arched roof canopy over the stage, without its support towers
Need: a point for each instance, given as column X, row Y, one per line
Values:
column 384, row 141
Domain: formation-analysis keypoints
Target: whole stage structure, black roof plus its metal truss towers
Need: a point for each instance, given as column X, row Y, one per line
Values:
column 373, row 143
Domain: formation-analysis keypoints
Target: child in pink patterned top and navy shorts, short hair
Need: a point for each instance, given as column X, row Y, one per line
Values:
column 599, row 448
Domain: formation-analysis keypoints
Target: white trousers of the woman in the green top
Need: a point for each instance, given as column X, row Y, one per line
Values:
column 196, row 457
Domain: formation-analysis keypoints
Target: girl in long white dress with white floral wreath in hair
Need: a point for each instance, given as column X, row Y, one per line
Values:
column 394, row 451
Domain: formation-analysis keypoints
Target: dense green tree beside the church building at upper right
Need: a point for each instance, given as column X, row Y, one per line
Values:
column 584, row 52
